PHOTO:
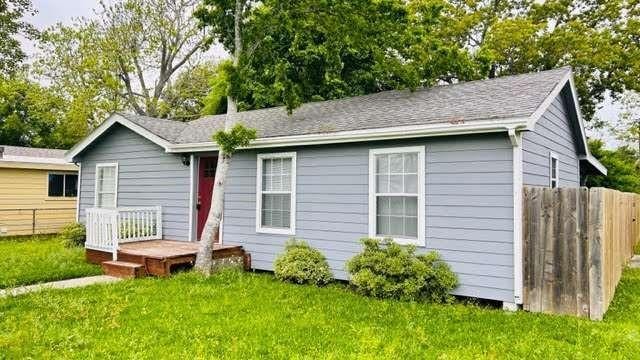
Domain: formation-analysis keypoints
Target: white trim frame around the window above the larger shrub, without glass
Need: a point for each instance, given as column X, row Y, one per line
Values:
column 420, row 241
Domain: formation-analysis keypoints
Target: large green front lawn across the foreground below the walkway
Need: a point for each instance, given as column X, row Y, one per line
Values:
column 246, row 315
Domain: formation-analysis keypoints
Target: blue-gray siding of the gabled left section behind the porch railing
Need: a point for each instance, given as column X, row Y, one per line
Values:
column 147, row 176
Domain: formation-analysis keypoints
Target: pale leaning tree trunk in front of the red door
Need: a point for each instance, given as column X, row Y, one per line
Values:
column 204, row 259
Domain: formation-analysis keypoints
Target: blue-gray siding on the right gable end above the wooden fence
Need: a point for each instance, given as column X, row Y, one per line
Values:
column 553, row 133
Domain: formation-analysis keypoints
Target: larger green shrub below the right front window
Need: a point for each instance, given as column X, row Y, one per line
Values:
column 388, row 270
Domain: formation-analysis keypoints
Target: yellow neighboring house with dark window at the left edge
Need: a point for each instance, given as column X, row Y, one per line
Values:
column 38, row 191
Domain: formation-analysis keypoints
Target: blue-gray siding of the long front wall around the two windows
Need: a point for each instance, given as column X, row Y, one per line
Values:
column 469, row 207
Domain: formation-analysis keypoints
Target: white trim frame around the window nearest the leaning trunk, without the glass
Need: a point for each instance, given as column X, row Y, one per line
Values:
column 292, row 214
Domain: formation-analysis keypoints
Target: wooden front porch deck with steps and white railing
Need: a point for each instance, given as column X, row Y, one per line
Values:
column 128, row 242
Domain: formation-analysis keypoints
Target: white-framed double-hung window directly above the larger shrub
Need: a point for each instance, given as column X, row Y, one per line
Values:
column 396, row 194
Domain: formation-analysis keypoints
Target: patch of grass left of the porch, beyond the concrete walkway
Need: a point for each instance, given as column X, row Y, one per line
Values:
column 31, row 260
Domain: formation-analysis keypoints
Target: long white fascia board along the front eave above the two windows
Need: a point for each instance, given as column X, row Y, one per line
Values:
column 400, row 132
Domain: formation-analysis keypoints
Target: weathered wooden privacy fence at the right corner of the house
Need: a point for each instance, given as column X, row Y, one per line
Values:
column 576, row 242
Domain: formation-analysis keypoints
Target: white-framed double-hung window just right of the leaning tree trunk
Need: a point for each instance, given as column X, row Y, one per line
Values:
column 276, row 193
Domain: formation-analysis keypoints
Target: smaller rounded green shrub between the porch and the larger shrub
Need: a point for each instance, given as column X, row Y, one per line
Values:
column 302, row 264
